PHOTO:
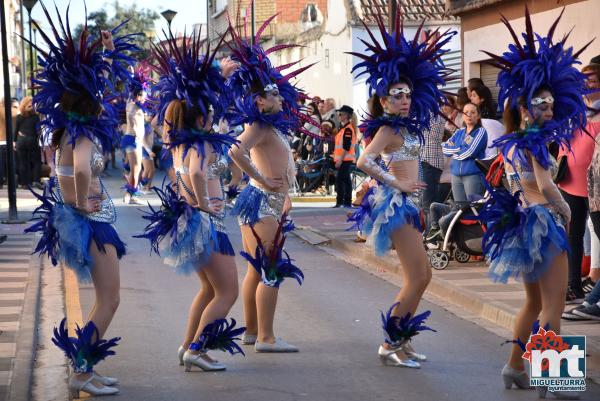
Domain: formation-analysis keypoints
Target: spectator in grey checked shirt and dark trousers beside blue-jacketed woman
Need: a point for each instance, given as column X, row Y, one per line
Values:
column 432, row 164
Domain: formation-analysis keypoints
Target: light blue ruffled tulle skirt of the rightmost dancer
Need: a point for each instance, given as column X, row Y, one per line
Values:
column 528, row 253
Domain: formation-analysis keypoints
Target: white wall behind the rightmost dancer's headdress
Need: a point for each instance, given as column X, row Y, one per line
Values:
column 582, row 17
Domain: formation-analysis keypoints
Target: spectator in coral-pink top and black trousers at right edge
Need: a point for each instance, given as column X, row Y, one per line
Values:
column 574, row 186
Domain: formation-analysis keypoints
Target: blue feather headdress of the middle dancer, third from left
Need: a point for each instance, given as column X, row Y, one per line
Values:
column 255, row 67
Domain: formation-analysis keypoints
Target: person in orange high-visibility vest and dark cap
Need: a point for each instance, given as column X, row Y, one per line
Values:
column 344, row 156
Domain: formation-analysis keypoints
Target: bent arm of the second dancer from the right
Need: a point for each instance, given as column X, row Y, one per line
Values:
column 368, row 163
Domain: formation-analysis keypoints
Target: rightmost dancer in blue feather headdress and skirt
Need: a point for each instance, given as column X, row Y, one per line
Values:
column 525, row 237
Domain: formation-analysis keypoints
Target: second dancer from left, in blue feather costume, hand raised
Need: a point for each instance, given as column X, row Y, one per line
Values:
column 189, row 231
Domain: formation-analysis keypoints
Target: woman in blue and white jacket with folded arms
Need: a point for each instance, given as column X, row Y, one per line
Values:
column 465, row 146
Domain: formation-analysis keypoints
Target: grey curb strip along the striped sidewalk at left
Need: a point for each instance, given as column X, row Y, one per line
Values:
column 27, row 343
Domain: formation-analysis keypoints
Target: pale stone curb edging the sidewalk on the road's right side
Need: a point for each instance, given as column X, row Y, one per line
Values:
column 470, row 301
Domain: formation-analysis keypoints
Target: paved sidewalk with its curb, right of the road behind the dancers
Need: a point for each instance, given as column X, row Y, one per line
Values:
column 464, row 285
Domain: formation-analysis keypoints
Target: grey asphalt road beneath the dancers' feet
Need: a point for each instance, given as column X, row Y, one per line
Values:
column 334, row 319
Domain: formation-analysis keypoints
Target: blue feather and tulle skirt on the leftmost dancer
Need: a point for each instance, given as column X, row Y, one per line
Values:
column 73, row 235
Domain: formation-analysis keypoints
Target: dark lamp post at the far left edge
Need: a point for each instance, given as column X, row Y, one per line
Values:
column 10, row 153
